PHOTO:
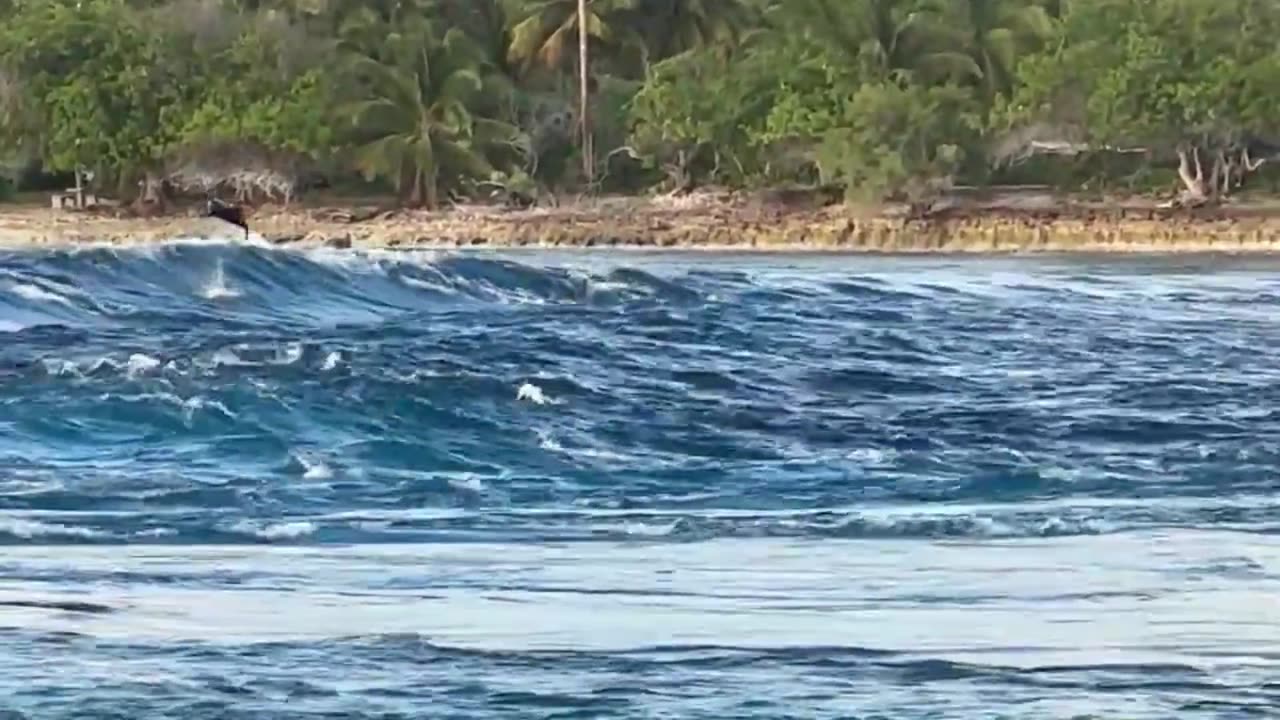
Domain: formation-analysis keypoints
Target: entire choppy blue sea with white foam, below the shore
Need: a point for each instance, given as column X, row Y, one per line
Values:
column 249, row 482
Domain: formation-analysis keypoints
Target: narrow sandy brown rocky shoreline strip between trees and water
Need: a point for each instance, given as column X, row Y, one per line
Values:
column 1002, row 226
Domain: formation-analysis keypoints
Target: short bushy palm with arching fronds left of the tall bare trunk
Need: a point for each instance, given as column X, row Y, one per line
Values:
column 422, row 116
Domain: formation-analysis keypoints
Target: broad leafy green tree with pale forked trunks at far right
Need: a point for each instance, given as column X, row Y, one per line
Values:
column 1197, row 80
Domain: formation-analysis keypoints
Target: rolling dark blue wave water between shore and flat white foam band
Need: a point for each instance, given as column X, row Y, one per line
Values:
column 204, row 393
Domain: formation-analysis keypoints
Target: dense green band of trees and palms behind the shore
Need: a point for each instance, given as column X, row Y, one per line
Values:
column 440, row 99
